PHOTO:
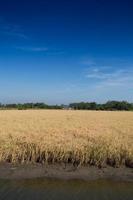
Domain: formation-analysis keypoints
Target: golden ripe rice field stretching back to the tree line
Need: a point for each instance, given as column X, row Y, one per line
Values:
column 98, row 138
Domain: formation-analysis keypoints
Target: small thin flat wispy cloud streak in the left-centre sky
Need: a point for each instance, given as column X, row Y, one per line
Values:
column 33, row 49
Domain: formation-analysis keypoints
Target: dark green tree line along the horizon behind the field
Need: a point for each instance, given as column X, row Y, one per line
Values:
column 109, row 105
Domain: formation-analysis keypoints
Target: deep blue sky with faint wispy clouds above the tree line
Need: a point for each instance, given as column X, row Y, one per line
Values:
column 61, row 51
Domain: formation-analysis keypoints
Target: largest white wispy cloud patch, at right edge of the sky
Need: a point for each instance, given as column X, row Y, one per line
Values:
column 117, row 74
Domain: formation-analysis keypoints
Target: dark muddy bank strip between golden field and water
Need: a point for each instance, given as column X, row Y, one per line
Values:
column 9, row 171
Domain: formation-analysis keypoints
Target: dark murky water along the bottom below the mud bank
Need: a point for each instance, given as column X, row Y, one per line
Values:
column 43, row 189
